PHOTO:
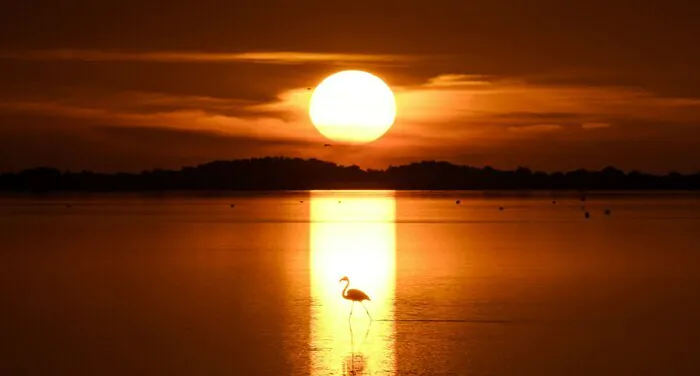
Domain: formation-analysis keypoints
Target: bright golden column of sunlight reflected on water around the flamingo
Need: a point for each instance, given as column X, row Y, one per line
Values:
column 353, row 234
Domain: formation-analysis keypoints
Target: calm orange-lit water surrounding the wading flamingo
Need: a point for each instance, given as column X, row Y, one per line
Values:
column 173, row 285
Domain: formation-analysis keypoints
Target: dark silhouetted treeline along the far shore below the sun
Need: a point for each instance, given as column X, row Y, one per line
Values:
column 278, row 173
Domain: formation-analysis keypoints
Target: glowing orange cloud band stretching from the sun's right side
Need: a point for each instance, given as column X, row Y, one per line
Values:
column 474, row 99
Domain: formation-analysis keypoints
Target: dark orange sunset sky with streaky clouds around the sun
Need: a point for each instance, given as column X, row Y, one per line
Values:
column 131, row 85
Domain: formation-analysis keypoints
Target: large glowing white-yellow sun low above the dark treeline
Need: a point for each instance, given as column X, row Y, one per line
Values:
column 352, row 107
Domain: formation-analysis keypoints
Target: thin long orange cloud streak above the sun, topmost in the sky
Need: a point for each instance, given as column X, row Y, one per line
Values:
column 268, row 57
